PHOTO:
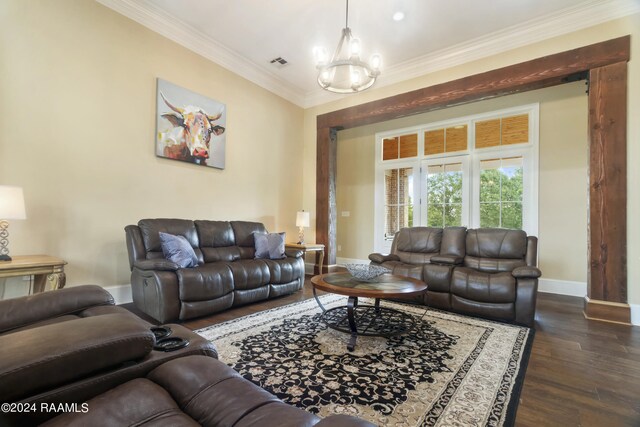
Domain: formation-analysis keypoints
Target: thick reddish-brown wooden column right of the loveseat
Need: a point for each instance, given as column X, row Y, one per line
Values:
column 607, row 279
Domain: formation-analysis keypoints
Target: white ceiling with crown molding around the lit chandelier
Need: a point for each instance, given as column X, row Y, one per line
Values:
column 245, row 35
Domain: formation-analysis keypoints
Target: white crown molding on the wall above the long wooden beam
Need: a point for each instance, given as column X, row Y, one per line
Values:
column 543, row 28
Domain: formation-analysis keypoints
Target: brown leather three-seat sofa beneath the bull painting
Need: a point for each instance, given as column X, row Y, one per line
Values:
column 228, row 274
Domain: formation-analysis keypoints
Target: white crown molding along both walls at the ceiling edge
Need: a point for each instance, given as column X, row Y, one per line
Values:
column 565, row 21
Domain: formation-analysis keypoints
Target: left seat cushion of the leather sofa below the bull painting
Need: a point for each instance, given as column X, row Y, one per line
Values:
column 205, row 282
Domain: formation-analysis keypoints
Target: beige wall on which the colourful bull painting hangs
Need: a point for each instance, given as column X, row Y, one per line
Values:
column 77, row 113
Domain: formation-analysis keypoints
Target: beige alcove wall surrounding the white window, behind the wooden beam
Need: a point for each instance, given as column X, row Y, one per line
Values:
column 562, row 183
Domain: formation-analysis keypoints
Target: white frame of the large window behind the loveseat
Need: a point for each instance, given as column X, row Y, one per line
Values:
column 471, row 170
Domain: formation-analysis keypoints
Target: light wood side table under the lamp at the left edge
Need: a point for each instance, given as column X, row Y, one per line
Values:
column 43, row 268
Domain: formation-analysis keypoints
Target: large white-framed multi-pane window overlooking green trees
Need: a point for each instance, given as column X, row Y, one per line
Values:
column 475, row 171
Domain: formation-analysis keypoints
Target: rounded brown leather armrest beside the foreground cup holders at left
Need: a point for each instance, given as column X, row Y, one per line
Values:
column 38, row 359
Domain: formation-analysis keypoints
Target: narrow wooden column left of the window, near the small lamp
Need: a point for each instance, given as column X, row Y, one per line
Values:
column 326, row 221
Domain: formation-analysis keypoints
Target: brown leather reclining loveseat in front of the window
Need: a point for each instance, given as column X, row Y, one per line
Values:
column 487, row 272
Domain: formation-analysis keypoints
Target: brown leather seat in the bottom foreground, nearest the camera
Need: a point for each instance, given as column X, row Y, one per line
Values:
column 193, row 391
